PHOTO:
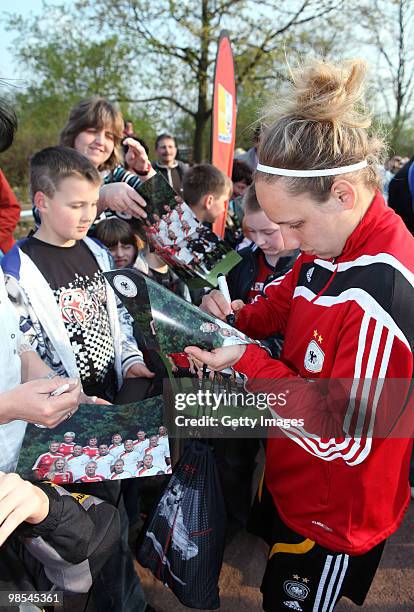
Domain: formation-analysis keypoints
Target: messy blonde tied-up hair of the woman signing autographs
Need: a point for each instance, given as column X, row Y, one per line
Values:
column 321, row 123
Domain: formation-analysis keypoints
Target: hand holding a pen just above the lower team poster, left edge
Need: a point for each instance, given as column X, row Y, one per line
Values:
column 31, row 402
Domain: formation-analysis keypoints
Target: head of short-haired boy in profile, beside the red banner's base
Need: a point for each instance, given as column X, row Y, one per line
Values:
column 206, row 191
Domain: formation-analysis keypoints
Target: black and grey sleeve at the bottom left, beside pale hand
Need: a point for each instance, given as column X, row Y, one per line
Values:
column 79, row 529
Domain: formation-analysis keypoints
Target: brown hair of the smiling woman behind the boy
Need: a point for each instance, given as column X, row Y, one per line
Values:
column 97, row 113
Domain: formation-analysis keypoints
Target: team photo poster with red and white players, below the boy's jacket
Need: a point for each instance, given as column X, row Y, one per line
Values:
column 99, row 443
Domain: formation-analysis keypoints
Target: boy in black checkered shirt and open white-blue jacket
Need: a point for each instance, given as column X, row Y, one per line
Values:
column 68, row 312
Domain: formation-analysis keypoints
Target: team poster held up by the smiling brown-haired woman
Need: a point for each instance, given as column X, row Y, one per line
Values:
column 193, row 250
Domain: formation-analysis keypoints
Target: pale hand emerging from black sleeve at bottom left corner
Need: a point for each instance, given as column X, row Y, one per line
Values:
column 19, row 501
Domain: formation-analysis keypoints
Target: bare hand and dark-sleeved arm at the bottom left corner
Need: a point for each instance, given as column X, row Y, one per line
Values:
column 60, row 529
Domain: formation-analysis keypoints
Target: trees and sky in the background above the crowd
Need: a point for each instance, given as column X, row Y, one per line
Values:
column 156, row 59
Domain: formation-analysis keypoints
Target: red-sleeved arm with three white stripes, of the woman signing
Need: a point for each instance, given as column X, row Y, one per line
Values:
column 367, row 392
